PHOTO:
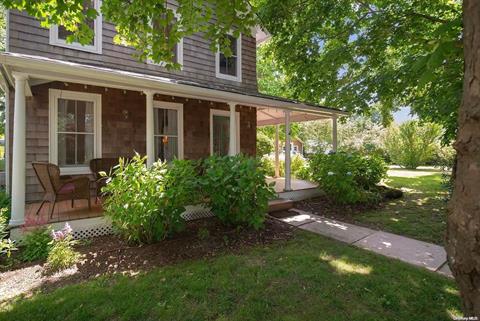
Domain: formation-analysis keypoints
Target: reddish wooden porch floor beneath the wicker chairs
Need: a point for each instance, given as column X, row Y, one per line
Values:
column 63, row 212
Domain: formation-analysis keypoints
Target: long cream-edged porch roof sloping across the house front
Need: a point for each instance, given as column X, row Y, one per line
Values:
column 270, row 108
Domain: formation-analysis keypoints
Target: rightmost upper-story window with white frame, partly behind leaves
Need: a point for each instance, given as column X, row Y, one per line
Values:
column 230, row 68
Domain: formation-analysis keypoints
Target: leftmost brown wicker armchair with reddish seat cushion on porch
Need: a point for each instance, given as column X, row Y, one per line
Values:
column 58, row 188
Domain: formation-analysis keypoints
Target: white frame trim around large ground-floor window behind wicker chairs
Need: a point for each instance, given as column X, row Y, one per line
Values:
column 53, row 96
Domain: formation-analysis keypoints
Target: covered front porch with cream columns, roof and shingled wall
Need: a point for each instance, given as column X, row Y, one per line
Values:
column 126, row 123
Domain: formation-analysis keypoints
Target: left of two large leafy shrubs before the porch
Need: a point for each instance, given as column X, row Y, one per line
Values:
column 145, row 204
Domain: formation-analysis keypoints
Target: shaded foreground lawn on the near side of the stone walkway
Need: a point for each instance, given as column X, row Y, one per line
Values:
column 307, row 278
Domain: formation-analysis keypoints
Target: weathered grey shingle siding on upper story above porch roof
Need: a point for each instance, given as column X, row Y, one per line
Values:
column 27, row 37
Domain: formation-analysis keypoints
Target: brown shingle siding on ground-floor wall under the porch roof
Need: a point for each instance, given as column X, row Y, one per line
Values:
column 122, row 135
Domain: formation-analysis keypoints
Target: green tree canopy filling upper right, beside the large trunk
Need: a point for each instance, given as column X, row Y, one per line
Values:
column 357, row 55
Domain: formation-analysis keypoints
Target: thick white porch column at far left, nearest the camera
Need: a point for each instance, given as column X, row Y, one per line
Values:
column 19, row 153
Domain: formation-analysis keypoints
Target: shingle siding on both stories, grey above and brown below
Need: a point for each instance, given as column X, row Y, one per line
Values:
column 121, row 134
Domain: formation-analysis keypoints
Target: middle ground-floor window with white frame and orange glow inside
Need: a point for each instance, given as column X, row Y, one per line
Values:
column 168, row 130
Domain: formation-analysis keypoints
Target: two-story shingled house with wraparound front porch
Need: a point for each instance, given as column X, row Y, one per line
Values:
column 69, row 103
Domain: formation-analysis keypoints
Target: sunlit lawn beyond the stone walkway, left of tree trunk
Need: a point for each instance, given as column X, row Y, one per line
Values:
column 420, row 214
